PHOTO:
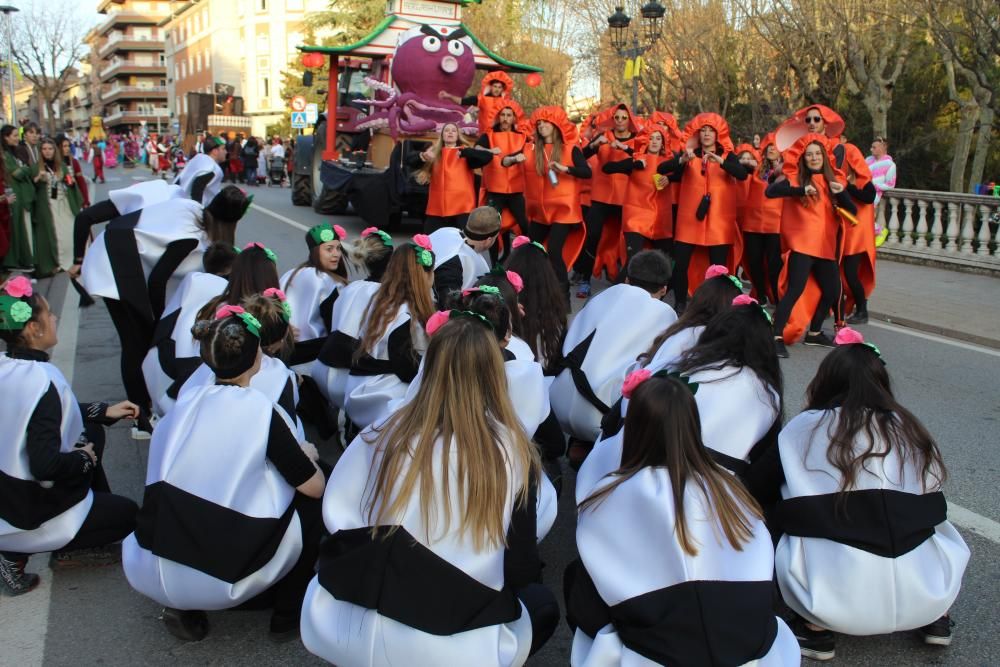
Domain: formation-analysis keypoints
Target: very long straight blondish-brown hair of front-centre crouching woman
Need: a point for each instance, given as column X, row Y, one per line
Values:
column 463, row 399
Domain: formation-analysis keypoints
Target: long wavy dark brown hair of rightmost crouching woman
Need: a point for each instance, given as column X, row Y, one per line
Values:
column 854, row 379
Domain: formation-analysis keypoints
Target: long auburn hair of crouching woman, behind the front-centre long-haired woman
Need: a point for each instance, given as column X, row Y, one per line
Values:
column 405, row 281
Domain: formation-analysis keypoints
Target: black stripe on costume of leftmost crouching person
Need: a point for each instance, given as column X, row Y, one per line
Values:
column 26, row 504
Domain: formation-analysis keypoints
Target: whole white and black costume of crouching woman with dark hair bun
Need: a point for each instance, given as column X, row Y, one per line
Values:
column 219, row 522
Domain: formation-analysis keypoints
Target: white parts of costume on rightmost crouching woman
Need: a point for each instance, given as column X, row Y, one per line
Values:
column 845, row 588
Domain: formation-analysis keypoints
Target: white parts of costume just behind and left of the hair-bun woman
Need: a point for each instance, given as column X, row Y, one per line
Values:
column 197, row 289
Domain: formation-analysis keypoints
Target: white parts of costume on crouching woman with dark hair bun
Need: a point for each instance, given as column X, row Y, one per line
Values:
column 193, row 450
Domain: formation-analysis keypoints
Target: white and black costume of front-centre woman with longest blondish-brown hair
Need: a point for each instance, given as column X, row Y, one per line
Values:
column 418, row 600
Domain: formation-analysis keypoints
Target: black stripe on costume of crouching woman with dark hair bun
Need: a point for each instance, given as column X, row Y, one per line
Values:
column 221, row 542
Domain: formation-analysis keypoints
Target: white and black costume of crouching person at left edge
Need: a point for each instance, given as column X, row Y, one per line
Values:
column 52, row 496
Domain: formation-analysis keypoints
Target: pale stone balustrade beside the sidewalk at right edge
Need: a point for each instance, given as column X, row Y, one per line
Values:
column 943, row 226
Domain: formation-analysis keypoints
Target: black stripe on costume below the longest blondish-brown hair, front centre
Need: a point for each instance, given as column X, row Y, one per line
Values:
column 401, row 579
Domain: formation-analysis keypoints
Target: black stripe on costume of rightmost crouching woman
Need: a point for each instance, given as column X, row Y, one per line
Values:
column 883, row 522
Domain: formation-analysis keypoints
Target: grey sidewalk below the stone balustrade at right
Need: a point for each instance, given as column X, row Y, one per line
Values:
column 948, row 303
